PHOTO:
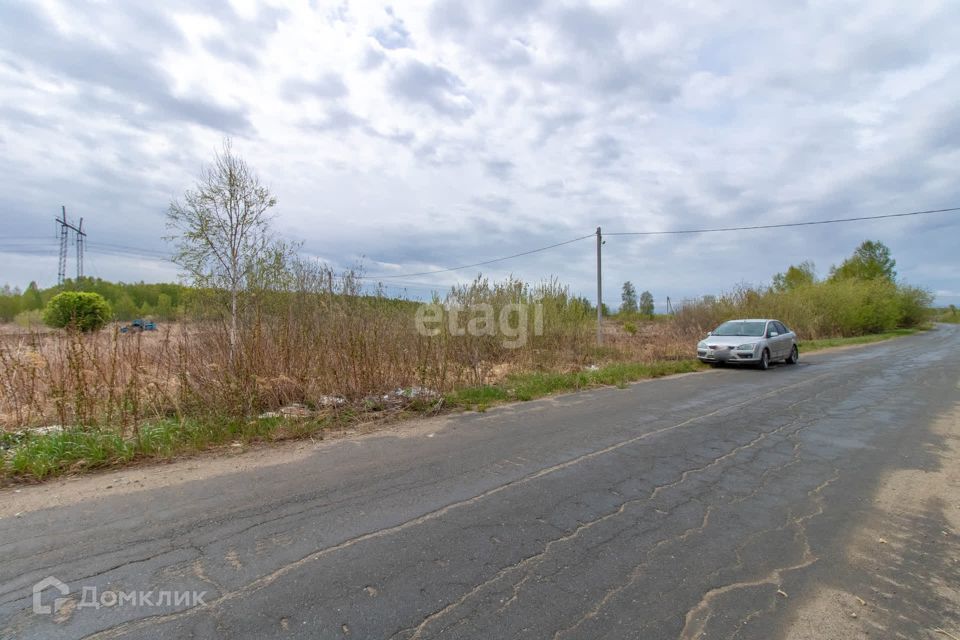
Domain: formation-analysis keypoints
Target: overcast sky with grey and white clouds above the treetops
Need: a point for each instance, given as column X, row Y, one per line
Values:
column 423, row 135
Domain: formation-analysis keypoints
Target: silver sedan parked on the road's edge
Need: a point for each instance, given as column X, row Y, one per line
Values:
column 753, row 341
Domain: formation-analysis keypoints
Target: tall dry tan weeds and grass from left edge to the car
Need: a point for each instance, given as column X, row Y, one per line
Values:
column 119, row 380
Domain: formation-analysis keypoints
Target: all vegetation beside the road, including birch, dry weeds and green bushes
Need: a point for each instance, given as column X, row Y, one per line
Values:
column 268, row 346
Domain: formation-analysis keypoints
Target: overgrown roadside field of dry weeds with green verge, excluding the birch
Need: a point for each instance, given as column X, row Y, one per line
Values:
column 321, row 358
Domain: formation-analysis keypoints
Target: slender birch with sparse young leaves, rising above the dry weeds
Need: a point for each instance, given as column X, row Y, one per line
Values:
column 222, row 229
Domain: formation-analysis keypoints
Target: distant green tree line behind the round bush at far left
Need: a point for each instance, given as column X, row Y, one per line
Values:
column 164, row 301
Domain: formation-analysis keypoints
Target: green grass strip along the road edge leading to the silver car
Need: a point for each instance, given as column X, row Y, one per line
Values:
column 528, row 386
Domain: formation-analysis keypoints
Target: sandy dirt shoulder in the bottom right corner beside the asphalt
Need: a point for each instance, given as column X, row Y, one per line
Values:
column 904, row 556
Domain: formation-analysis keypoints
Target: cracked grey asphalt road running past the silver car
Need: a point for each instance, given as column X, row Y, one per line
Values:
column 707, row 505
